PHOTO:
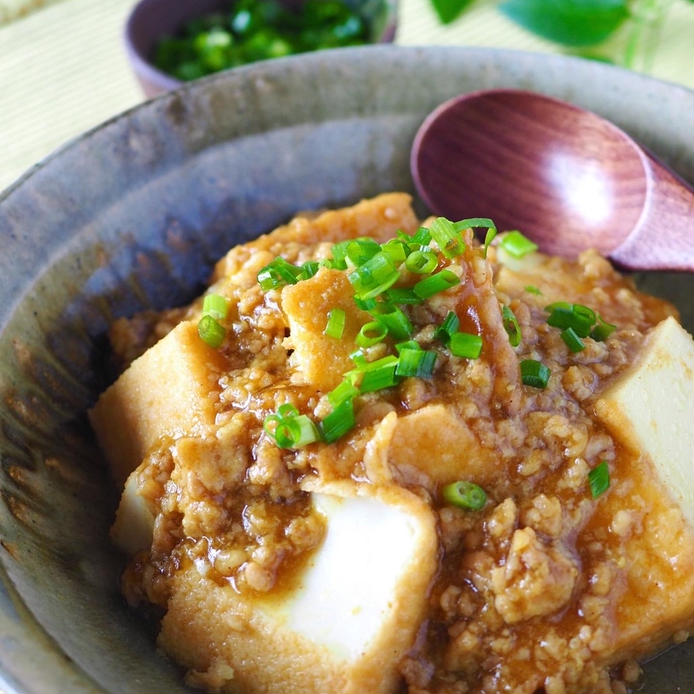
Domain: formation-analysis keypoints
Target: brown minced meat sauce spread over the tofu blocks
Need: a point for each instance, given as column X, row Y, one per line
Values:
column 531, row 589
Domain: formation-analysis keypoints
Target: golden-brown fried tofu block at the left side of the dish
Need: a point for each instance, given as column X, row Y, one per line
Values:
column 170, row 390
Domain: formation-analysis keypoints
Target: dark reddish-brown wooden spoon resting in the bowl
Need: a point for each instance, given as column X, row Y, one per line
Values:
column 565, row 177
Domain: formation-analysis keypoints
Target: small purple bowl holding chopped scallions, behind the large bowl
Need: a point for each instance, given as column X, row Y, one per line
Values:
column 150, row 20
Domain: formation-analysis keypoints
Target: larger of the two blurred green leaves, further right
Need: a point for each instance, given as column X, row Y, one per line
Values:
column 569, row 22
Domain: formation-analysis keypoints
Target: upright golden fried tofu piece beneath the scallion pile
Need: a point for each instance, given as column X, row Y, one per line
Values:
column 318, row 359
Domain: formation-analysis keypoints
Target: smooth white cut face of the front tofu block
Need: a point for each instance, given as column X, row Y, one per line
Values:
column 345, row 595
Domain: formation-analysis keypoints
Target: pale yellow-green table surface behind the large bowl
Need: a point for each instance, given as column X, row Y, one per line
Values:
column 63, row 69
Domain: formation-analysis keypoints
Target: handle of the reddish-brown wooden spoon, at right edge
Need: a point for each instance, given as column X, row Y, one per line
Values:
column 663, row 239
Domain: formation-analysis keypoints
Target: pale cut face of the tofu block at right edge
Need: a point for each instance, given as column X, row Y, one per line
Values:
column 649, row 409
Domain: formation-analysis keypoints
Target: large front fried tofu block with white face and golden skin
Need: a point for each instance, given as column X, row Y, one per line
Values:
column 340, row 627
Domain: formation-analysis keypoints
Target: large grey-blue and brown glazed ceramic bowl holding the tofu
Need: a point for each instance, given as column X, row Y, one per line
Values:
column 131, row 216
